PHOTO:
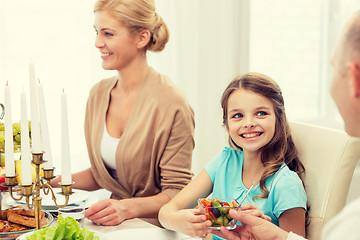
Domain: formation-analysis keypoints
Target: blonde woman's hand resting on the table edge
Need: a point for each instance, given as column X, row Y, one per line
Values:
column 108, row 212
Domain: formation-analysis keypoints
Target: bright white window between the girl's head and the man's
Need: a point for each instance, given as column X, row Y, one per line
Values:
column 292, row 42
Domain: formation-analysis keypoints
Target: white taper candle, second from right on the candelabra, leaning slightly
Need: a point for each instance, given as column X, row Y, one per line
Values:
column 44, row 129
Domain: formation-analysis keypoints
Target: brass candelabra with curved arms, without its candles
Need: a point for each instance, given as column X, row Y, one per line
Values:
column 33, row 190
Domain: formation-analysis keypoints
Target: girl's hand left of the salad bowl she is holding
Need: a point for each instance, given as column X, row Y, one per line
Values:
column 192, row 222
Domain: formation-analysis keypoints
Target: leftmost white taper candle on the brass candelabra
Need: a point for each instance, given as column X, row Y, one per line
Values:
column 9, row 145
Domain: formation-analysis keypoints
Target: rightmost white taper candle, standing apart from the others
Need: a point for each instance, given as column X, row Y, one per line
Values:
column 65, row 145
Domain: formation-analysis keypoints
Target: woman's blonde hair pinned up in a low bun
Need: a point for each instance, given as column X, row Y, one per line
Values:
column 138, row 15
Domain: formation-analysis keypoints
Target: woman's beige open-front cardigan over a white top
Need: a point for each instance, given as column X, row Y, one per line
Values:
column 155, row 149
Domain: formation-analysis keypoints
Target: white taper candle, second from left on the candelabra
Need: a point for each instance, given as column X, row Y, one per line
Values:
column 26, row 178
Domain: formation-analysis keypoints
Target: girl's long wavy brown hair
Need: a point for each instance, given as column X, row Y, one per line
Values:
column 281, row 148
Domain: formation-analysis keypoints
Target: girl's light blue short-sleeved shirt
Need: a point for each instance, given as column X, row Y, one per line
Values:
column 286, row 190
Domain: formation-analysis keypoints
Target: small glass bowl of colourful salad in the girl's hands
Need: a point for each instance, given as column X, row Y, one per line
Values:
column 218, row 212
